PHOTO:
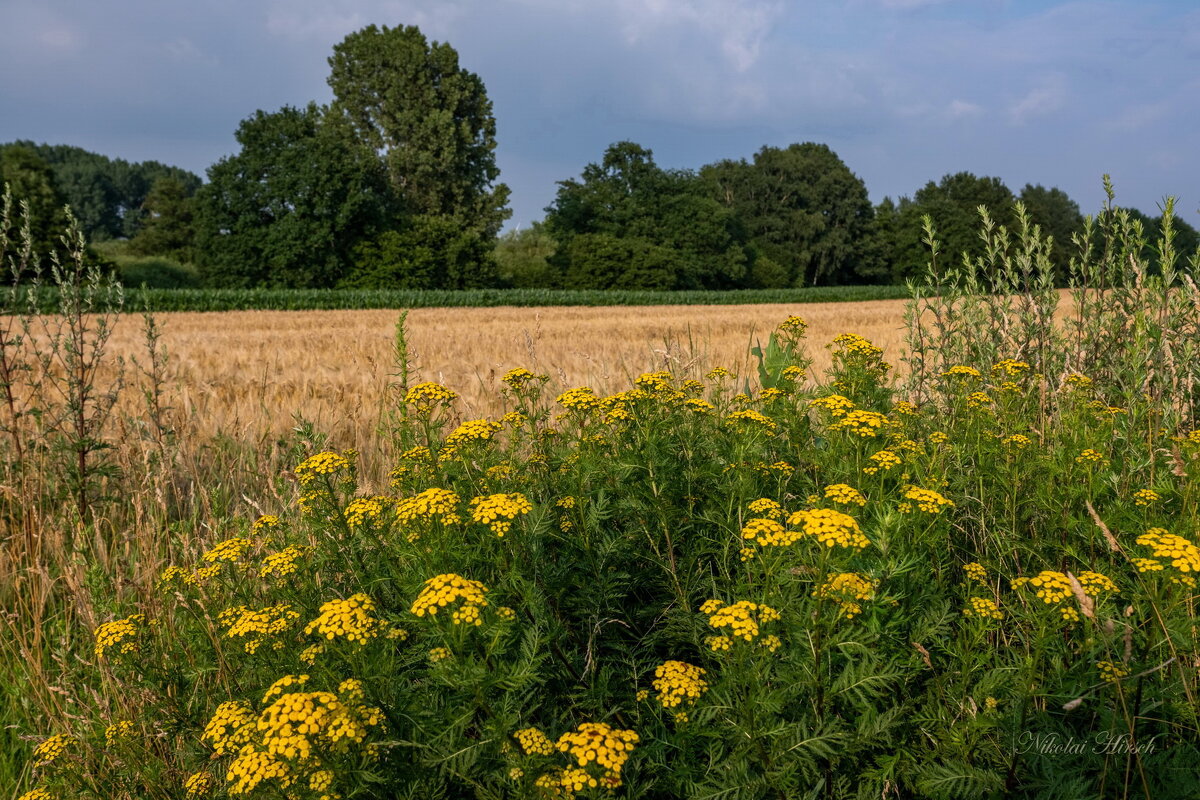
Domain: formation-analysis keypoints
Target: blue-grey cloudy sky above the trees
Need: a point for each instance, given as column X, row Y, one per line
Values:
column 905, row 92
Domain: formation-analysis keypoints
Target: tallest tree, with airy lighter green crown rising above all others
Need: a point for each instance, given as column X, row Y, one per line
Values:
column 430, row 119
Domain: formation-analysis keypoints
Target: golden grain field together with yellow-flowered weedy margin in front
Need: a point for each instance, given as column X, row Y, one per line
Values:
column 937, row 549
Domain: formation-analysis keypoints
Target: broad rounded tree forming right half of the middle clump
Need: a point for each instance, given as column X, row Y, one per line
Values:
column 803, row 209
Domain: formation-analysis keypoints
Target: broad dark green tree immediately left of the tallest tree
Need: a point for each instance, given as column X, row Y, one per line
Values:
column 290, row 209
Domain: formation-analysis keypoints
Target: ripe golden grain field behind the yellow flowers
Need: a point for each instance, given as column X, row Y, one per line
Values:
column 247, row 374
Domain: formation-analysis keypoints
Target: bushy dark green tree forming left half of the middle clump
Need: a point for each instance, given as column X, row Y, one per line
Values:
column 628, row 199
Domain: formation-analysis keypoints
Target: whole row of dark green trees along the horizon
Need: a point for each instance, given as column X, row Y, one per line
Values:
column 395, row 185
